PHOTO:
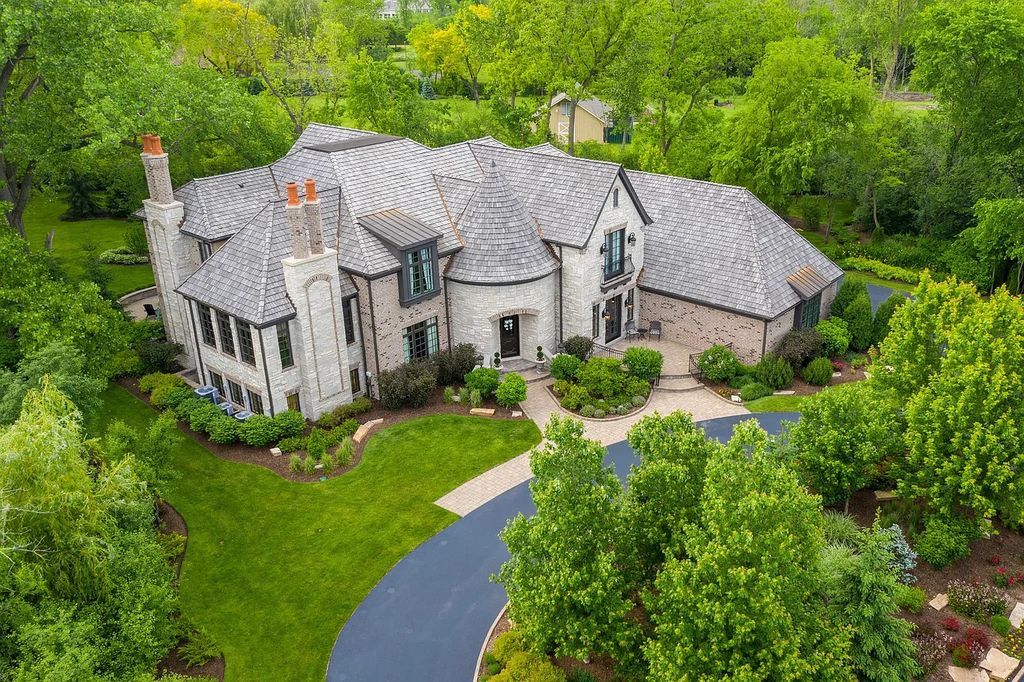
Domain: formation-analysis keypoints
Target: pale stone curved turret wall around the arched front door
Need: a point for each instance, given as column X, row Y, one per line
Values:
column 476, row 312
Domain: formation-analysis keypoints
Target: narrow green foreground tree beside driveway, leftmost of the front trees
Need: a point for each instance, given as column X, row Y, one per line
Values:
column 567, row 591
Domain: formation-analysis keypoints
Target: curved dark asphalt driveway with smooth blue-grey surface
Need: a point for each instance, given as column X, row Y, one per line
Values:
column 426, row 619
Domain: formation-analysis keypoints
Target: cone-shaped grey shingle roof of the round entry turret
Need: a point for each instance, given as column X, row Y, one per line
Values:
column 502, row 241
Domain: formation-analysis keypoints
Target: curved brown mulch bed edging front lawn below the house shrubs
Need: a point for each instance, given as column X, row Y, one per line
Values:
column 280, row 465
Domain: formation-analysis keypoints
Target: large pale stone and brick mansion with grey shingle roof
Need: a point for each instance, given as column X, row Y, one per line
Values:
column 294, row 285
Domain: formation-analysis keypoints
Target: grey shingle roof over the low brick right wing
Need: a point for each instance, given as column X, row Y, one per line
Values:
column 720, row 245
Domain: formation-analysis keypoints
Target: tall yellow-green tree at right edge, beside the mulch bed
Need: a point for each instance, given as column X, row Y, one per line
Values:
column 966, row 427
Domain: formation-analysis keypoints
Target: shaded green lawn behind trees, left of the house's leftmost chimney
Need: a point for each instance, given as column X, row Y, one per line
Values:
column 44, row 215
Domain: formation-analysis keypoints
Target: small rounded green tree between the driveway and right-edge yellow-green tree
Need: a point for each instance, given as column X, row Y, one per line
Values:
column 843, row 435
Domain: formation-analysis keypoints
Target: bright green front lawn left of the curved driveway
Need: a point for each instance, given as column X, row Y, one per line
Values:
column 274, row 569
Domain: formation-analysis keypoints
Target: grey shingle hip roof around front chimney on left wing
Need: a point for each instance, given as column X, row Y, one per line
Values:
column 246, row 279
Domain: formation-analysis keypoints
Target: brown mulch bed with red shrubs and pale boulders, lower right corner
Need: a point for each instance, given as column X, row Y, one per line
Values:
column 1007, row 544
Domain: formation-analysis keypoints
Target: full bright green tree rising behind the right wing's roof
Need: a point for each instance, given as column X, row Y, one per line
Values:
column 804, row 103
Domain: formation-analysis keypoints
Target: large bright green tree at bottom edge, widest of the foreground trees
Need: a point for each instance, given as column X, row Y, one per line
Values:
column 749, row 579
